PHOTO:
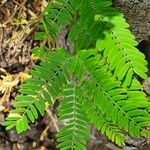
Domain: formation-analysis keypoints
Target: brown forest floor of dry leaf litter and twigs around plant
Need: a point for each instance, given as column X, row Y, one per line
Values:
column 18, row 24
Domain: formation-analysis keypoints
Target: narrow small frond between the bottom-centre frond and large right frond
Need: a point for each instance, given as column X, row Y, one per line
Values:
column 99, row 121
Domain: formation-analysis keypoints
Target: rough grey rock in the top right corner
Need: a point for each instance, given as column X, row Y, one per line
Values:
column 137, row 13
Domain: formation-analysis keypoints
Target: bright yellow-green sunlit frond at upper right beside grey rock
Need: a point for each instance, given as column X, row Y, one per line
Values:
column 118, row 47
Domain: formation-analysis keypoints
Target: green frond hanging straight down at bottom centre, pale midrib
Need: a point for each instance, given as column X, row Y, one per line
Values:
column 74, row 133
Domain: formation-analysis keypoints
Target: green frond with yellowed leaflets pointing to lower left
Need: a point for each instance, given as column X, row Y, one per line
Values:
column 46, row 84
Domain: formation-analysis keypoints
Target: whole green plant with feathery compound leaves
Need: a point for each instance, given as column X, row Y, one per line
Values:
column 96, row 84
